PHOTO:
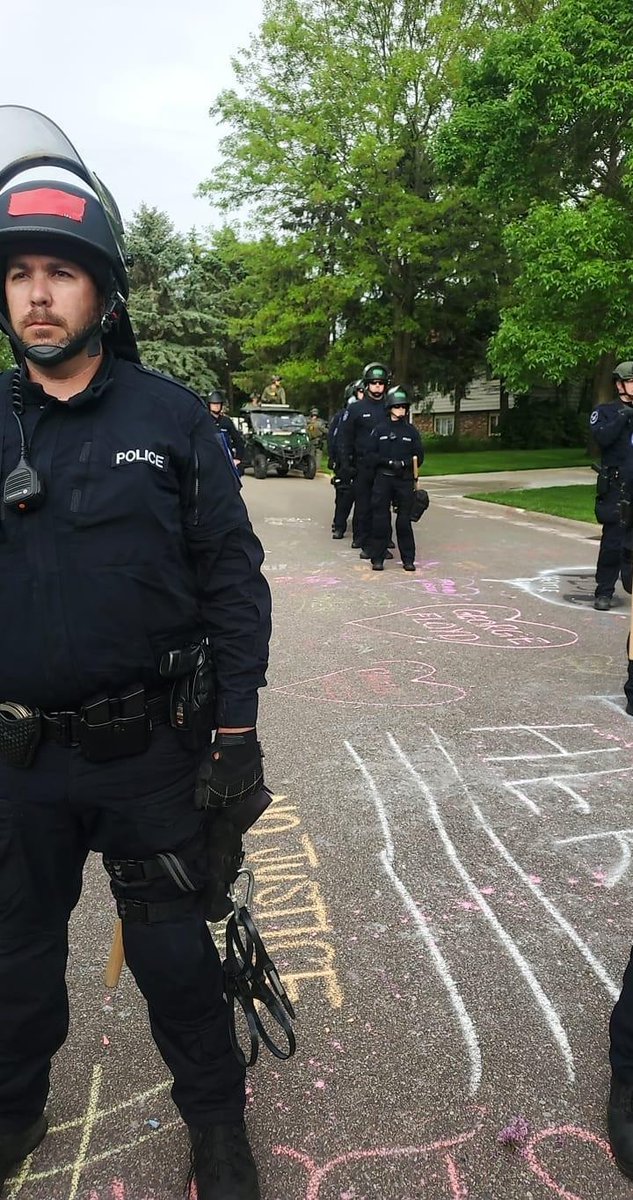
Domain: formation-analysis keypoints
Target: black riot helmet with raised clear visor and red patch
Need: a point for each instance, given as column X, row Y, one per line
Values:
column 52, row 217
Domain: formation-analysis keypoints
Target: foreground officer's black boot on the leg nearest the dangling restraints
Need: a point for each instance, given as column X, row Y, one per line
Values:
column 222, row 1163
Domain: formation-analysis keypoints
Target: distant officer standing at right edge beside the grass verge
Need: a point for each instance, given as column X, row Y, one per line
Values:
column 612, row 428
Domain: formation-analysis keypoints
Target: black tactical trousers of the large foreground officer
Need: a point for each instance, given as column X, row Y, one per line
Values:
column 51, row 817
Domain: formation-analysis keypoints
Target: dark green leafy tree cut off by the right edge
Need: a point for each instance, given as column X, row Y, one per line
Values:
column 542, row 130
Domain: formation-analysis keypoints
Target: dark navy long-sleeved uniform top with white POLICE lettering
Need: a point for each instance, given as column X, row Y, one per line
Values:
column 142, row 545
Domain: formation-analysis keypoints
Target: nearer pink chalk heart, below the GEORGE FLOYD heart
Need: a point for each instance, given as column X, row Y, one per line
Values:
column 391, row 683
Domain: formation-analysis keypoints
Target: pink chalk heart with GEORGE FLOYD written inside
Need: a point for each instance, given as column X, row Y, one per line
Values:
column 474, row 625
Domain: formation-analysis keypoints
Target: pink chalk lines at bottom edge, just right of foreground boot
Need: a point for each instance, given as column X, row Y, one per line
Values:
column 456, row 1186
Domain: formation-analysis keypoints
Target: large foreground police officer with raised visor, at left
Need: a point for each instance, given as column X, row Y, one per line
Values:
column 124, row 544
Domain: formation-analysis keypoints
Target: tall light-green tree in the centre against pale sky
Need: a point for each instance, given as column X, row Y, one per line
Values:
column 329, row 147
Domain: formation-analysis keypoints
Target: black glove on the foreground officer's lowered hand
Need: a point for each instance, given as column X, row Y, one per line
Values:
column 232, row 771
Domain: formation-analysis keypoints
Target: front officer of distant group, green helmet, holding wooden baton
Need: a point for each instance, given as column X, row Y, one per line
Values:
column 396, row 453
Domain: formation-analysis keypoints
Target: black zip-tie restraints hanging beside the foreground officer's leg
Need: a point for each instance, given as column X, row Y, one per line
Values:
column 254, row 985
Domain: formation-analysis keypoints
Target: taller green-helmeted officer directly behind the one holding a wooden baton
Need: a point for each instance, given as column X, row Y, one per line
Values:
column 357, row 428
